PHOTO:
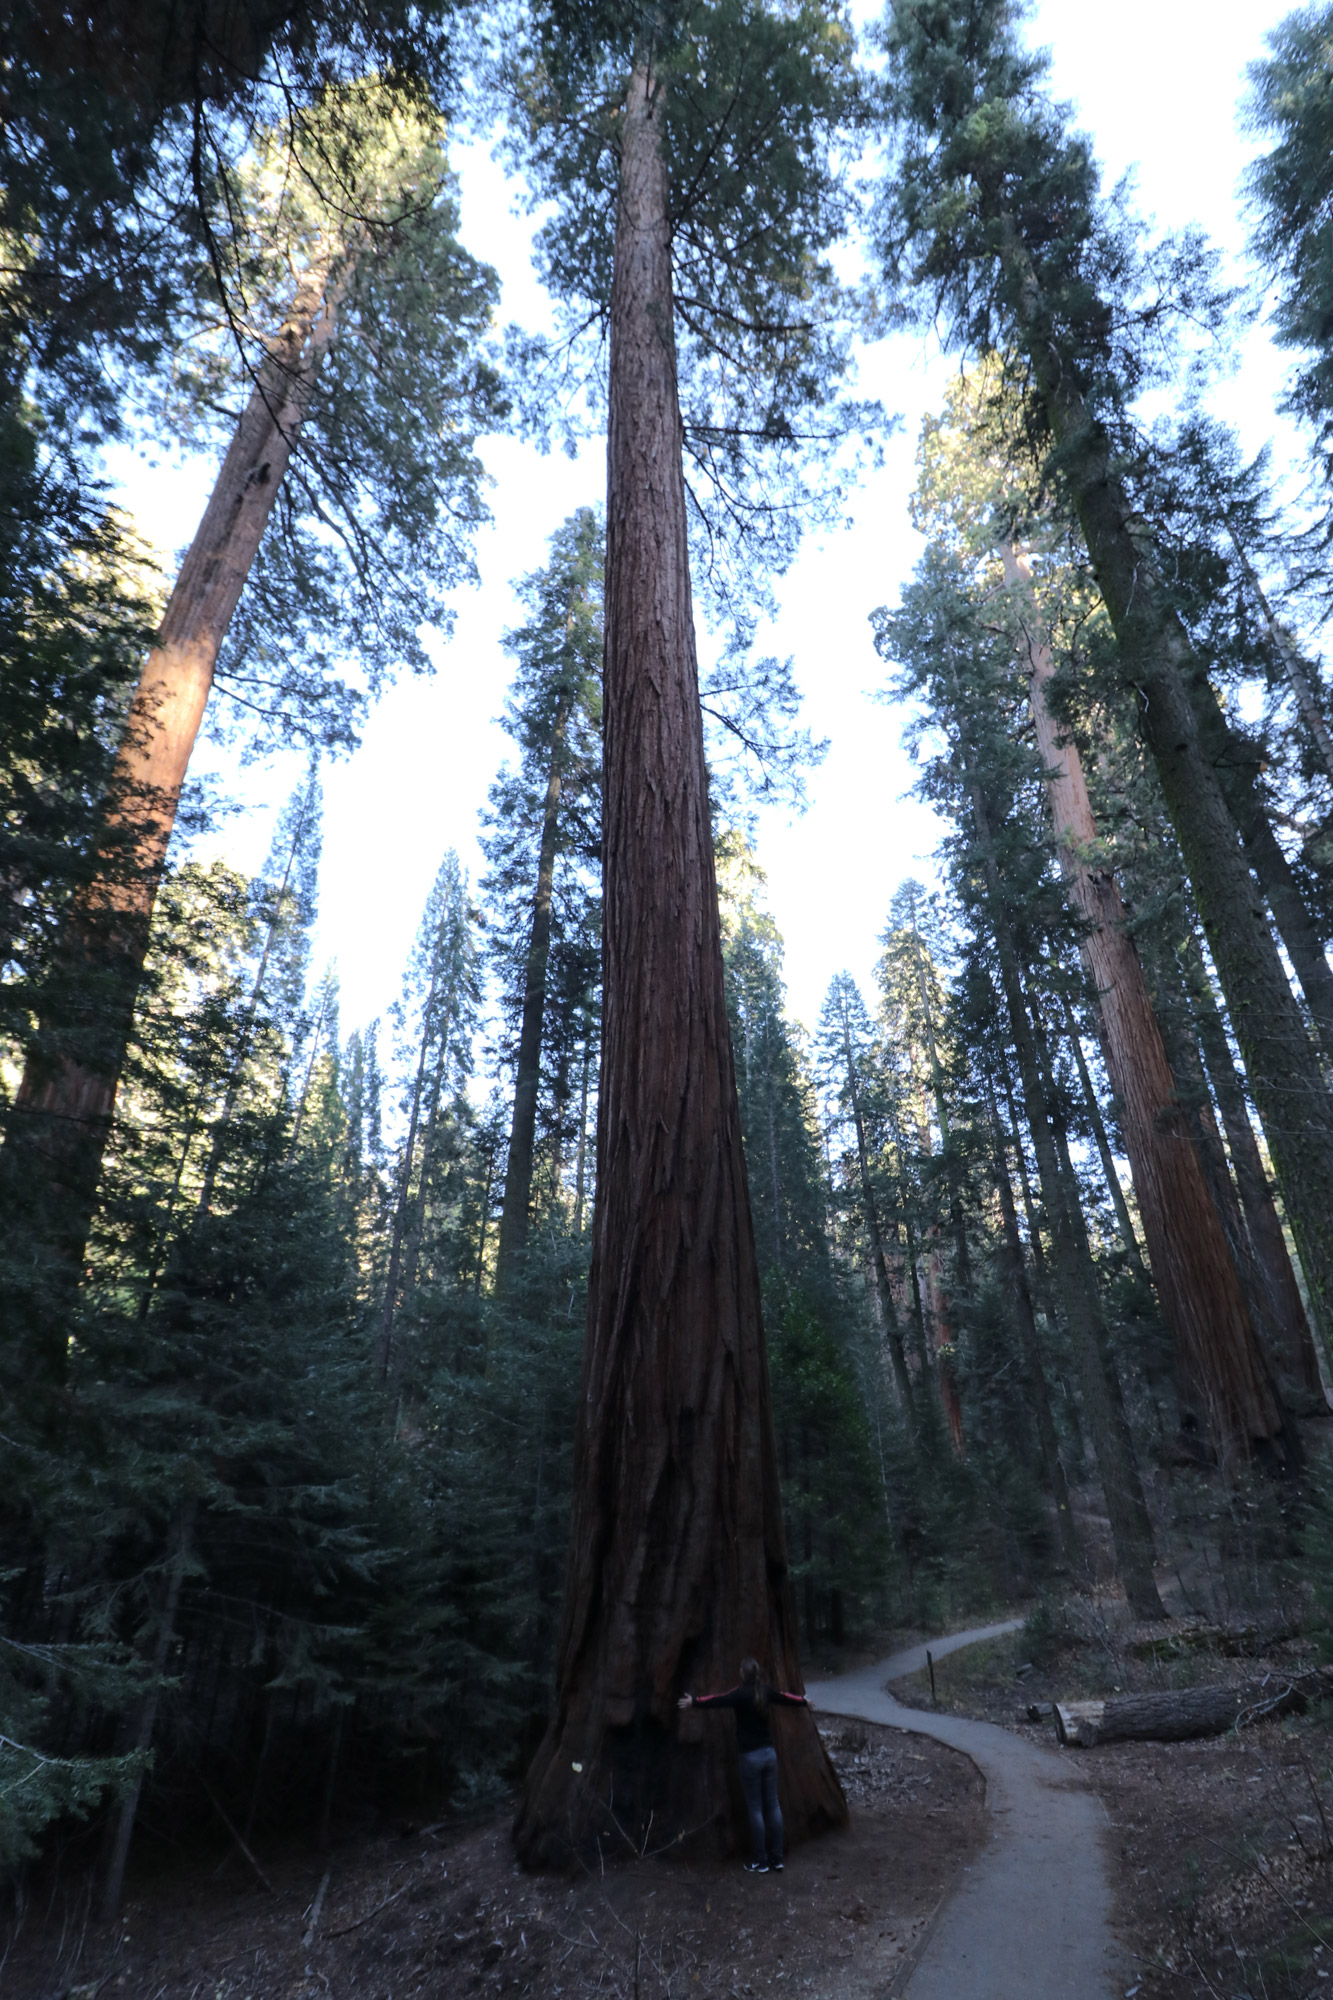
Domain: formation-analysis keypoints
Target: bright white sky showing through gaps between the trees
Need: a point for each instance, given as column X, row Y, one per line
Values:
column 1158, row 85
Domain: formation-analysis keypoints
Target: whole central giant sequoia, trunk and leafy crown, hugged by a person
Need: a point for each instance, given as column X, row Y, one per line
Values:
column 706, row 131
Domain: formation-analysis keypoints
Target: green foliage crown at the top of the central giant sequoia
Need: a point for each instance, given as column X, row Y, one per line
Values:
column 756, row 103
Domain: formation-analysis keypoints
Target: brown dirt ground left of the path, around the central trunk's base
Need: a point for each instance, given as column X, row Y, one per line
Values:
column 445, row 1913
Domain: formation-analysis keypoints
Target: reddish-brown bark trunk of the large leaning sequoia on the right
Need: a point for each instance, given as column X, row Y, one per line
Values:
column 1198, row 1283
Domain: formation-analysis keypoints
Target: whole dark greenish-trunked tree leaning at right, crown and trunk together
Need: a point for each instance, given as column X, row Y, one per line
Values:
column 994, row 209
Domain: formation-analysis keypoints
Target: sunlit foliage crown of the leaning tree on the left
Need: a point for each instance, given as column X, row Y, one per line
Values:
column 385, row 489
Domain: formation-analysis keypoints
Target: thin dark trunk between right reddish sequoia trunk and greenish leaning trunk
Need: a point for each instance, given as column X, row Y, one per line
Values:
column 1284, row 1311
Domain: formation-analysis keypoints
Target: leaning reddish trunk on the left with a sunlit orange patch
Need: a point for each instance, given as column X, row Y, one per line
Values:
column 61, row 1121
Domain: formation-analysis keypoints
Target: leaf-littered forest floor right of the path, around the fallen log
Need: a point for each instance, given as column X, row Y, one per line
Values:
column 1224, row 1847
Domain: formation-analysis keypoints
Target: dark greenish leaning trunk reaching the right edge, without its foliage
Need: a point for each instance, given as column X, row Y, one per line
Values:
column 1192, row 749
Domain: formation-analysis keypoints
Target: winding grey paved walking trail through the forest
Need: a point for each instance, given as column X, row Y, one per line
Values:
column 1032, row 1917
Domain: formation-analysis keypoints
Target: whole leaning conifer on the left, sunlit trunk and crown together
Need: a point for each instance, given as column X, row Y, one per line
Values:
column 365, row 235
